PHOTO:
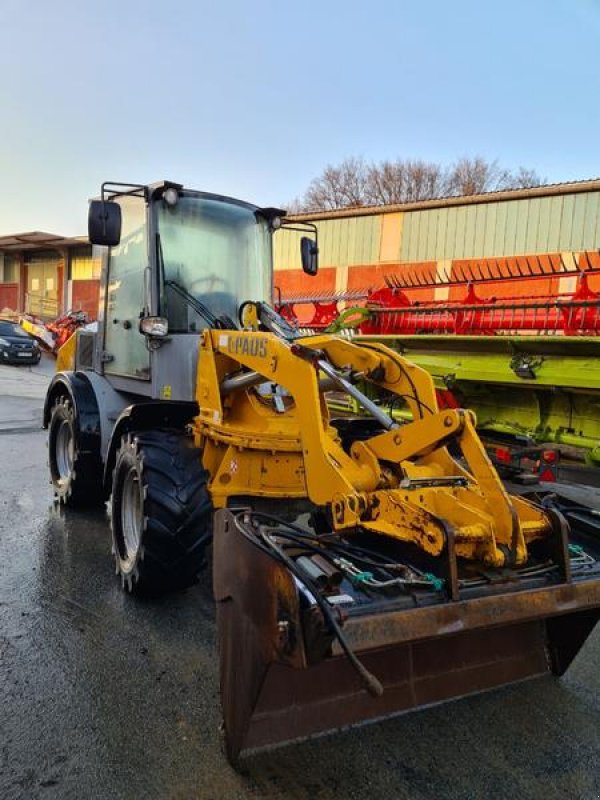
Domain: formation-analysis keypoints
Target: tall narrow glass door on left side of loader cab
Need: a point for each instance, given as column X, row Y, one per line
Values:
column 125, row 348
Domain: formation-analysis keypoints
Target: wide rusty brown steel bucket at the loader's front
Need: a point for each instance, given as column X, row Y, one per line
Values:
column 284, row 677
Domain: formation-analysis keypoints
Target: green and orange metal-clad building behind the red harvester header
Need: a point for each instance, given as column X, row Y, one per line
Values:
column 360, row 246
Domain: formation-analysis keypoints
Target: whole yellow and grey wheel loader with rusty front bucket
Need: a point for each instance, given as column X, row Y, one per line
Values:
column 361, row 566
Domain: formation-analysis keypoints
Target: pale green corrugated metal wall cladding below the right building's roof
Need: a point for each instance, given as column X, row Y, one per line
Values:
column 567, row 222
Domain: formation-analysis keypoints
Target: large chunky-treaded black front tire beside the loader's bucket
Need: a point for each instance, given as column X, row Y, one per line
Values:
column 160, row 487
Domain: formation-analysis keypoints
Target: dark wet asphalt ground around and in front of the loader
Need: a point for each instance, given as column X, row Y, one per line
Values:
column 104, row 696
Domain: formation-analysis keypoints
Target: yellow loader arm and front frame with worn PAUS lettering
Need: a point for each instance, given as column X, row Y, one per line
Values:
column 265, row 430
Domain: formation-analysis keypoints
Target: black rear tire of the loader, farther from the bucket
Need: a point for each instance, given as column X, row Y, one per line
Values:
column 79, row 483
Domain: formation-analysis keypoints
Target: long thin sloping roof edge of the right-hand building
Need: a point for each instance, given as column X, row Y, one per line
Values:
column 548, row 190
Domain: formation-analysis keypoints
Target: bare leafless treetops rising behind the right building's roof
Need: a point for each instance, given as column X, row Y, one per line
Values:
column 356, row 183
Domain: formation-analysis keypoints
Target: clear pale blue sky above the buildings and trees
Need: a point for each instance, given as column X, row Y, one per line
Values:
column 253, row 99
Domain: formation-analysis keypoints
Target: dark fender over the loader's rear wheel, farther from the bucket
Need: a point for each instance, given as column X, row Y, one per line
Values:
column 76, row 386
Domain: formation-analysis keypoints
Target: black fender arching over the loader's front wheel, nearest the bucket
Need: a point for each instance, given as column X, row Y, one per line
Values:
column 151, row 415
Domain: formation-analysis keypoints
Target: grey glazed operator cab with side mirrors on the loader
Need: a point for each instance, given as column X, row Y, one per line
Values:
column 177, row 261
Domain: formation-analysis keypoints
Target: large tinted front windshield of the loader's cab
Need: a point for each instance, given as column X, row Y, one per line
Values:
column 214, row 252
